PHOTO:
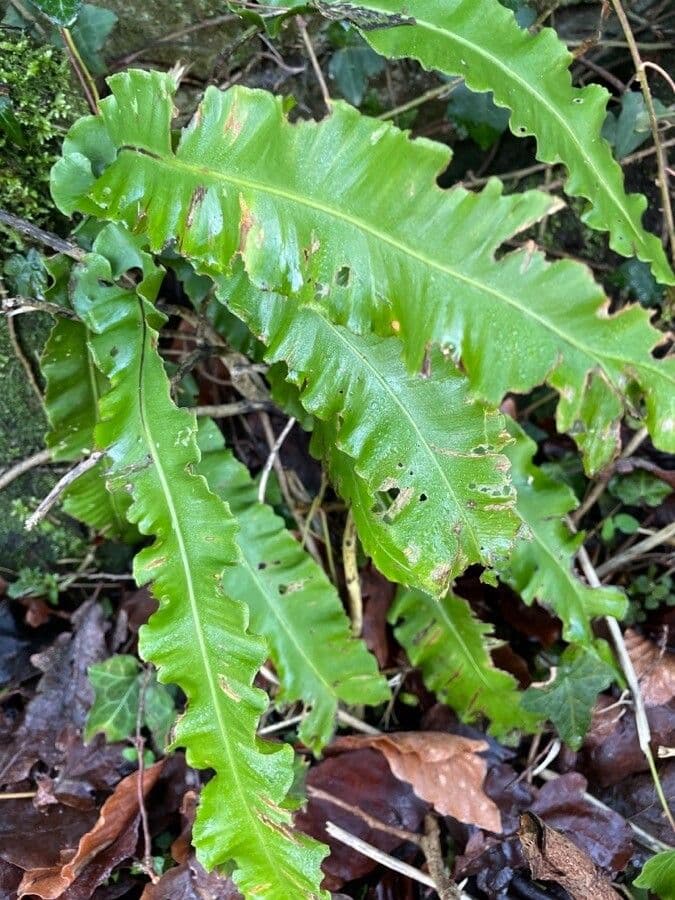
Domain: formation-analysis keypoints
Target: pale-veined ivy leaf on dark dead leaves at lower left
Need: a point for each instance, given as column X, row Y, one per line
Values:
column 117, row 690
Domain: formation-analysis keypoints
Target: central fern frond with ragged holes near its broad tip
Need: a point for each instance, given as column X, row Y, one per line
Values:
column 422, row 450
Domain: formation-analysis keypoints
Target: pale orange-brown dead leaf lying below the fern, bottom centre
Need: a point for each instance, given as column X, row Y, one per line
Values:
column 443, row 769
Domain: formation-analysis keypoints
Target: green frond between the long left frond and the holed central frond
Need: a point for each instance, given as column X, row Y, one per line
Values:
column 291, row 602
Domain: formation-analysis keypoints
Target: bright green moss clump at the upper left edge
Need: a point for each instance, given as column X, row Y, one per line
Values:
column 37, row 81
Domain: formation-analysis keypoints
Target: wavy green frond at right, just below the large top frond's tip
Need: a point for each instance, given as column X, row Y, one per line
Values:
column 541, row 565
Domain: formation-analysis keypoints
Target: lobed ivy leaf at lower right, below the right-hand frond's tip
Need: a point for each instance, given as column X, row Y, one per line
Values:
column 569, row 699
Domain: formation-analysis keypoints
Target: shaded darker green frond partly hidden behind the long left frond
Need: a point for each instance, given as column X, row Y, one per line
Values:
column 73, row 389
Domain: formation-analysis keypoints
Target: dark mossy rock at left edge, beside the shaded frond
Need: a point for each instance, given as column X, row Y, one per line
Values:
column 22, row 429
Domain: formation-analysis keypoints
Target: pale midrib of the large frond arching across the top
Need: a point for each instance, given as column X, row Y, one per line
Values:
column 366, row 227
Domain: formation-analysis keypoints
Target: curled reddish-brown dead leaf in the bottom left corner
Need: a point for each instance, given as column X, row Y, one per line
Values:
column 118, row 815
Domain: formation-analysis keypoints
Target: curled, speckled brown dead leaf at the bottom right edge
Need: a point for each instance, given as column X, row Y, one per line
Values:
column 553, row 857
